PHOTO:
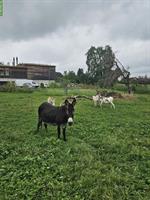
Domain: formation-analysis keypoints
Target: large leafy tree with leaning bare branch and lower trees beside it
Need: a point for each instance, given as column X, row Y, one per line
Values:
column 103, row 69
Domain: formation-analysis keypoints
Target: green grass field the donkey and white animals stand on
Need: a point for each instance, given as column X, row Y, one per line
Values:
column 107, row 155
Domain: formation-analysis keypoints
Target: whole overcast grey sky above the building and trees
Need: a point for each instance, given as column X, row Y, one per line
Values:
column 60, row 32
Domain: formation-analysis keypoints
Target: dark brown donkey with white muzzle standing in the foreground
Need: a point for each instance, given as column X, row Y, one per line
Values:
column 59, row 116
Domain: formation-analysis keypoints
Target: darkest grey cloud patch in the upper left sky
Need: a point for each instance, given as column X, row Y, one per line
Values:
column 27, row 19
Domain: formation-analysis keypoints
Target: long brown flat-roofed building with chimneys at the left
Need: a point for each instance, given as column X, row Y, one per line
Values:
column 31, row 71
